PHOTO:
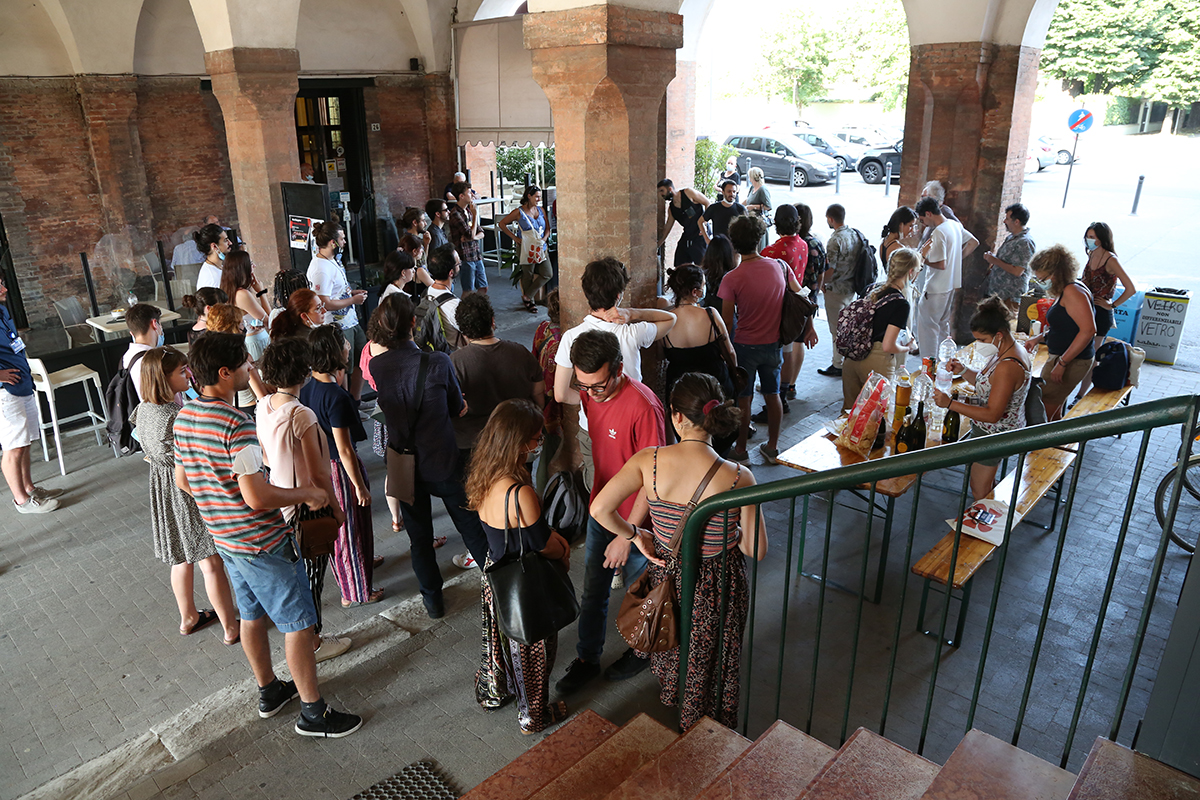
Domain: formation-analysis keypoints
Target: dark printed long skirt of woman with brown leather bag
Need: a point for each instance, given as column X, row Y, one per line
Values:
column 709, row 663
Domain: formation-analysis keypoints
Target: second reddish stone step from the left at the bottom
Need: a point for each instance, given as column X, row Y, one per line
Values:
column 615, row 760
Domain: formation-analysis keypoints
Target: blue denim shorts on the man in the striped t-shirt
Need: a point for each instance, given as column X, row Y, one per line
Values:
column 272, row 586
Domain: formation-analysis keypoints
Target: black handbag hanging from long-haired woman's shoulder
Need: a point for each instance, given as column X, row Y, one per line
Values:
column 533, row 597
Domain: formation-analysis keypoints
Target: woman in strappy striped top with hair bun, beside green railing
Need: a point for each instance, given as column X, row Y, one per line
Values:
column 670, row 478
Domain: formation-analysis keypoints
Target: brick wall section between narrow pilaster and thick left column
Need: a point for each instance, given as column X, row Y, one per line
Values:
column 185, row 155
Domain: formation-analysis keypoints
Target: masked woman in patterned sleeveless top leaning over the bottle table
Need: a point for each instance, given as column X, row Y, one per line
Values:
column 1001, row 387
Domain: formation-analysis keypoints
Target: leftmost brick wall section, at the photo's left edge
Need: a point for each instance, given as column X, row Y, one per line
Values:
column 49, row 191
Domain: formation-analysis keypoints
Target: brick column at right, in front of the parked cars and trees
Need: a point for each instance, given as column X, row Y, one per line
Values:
column 968, row 124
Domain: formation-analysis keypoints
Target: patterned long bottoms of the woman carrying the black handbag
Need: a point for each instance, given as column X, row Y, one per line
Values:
column 508, row 669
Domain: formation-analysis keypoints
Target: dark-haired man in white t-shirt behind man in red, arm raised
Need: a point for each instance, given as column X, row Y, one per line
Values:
column 637, row 329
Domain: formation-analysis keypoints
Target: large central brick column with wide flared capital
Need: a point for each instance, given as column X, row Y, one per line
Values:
column 605, row 70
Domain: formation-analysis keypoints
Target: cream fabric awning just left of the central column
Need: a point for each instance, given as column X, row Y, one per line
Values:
column 499, row 101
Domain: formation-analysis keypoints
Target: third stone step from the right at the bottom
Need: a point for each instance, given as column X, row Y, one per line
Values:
column 871, row 768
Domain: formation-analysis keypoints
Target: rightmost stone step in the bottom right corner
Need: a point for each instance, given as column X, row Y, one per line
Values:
column 1117, row 773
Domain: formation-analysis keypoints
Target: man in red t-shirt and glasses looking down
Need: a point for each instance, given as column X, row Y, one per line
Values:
column 623, row 418
